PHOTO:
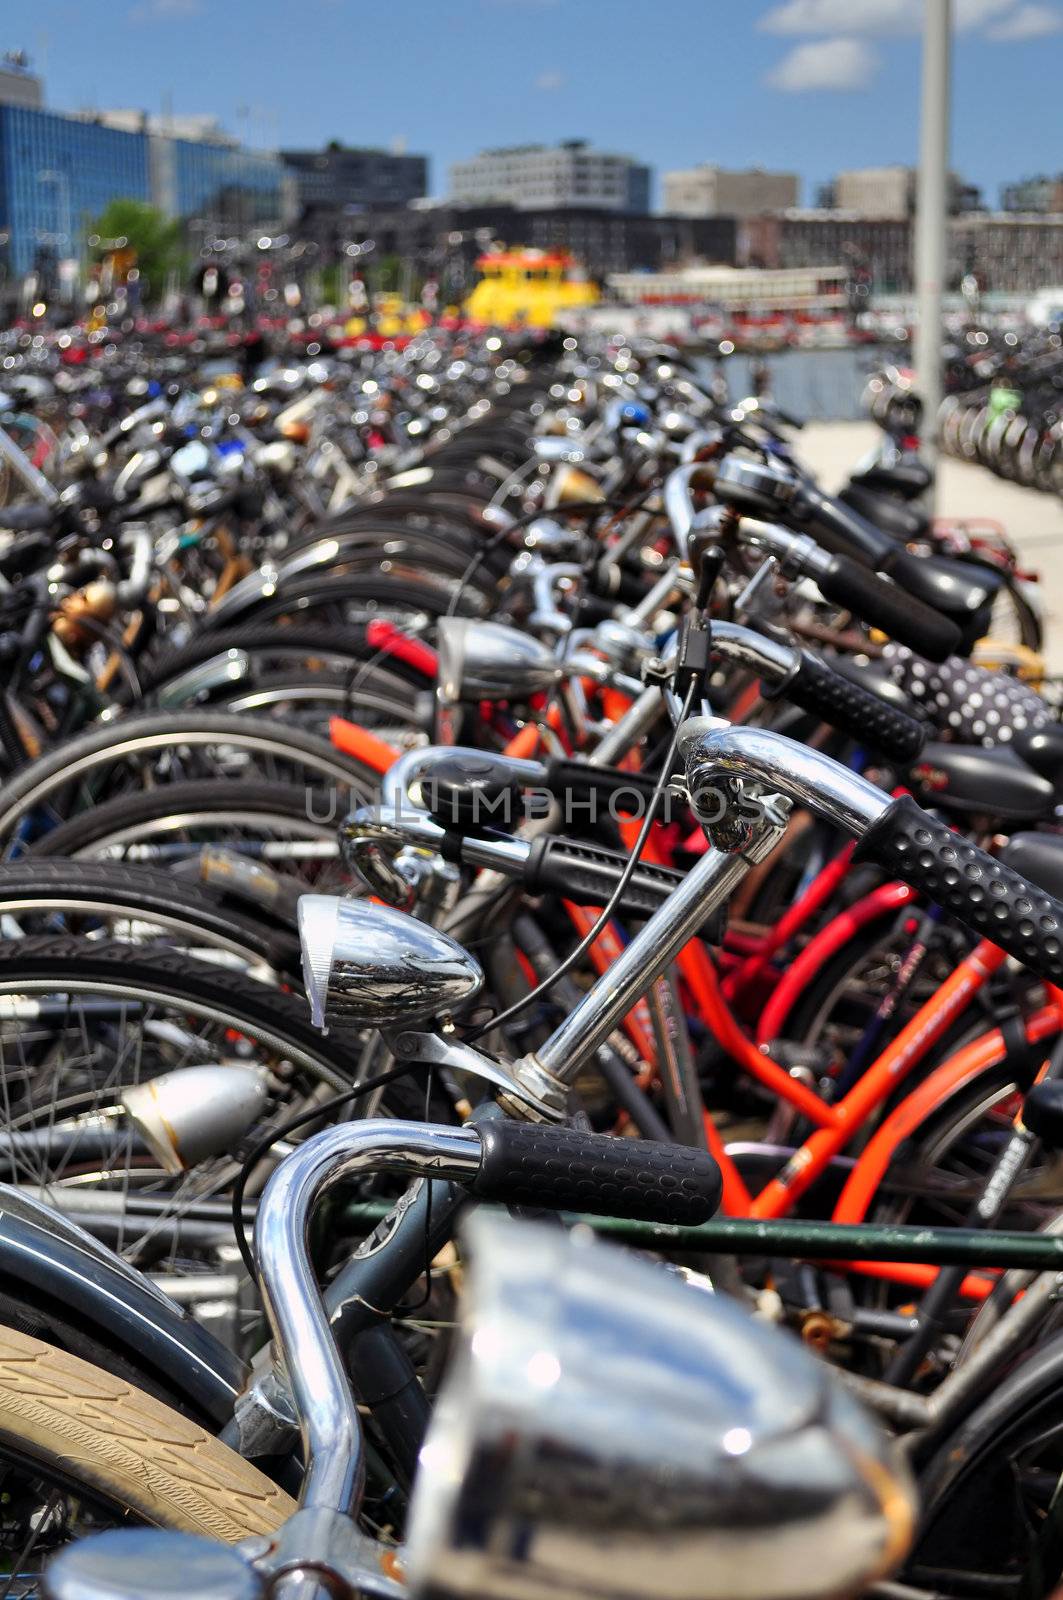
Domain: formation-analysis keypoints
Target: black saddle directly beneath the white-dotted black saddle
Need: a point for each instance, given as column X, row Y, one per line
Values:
column 965, row 780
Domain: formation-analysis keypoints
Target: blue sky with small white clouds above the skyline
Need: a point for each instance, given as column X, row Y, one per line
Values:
column 808, row 86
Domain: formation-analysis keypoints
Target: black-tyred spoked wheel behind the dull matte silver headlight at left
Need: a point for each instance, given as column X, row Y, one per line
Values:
column 82, row 1025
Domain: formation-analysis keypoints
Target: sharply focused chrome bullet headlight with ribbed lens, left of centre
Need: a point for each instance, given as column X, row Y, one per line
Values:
column 377, row 967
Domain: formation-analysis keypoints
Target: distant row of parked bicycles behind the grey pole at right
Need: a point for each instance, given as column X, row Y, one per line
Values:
column 1003, row 406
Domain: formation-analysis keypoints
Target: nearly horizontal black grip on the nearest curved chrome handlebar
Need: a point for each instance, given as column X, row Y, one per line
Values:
column 537, row 1166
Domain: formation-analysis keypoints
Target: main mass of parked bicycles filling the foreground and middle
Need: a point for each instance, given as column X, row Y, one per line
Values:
column 497, row 777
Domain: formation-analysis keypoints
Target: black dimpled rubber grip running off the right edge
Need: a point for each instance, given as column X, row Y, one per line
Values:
column 981, row 892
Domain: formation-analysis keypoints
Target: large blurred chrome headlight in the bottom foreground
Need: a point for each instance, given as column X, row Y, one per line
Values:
column 606, row 1434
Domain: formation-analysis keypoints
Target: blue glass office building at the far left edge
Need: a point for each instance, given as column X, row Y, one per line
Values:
column 58, row 174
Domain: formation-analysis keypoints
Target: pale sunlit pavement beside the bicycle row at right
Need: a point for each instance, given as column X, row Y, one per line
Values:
column 1033, row 521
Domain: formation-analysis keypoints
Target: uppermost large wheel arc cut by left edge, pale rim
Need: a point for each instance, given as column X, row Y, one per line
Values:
column 158, row 748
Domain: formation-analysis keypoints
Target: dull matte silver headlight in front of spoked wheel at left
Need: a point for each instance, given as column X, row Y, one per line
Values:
column 191, row 1116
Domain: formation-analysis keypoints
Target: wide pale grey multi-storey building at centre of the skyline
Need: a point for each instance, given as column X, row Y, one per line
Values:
column 539, row 177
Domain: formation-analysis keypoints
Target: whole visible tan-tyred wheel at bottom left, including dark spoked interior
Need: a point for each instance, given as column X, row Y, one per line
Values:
column 82, row 1450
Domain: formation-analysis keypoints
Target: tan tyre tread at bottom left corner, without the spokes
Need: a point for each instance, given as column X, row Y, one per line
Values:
column 127, row 1447
